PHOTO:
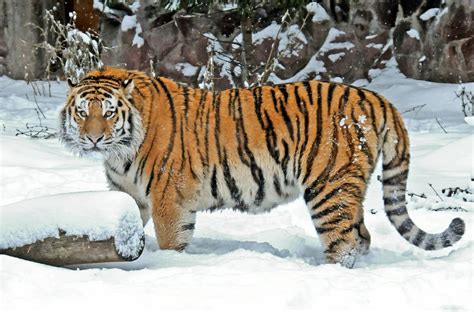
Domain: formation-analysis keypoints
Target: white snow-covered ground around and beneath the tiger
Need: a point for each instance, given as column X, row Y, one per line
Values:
column 236, row 261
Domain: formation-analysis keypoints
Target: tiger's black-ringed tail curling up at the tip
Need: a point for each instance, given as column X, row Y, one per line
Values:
column 396, row 159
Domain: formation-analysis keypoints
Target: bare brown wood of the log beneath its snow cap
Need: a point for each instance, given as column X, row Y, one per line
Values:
column 71, row 249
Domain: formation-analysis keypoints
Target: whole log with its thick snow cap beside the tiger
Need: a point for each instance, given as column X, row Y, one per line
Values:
column 73, row 228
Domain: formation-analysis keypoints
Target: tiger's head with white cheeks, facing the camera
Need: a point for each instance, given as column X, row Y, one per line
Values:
column 99, row 116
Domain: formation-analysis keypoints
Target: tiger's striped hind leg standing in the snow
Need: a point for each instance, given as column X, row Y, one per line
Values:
column 336, row 211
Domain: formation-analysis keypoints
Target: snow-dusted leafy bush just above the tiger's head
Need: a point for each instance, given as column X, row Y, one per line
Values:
column 72, row 51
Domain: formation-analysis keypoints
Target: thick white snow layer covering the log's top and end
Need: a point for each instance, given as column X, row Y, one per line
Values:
column 99, row 215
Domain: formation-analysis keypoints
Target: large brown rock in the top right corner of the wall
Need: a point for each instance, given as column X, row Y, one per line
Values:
column 443, row 52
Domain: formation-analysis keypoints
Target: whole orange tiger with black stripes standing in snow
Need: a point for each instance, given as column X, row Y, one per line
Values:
column 178, row 150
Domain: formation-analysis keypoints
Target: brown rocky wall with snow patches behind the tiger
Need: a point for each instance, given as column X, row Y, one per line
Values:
column 342, row 40
